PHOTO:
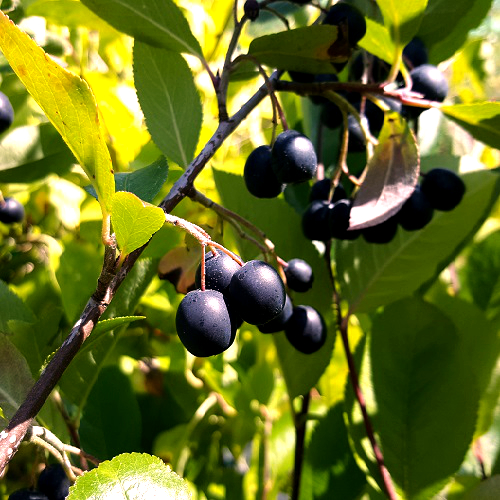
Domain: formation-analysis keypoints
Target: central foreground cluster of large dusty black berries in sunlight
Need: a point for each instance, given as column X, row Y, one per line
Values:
column 207, row 320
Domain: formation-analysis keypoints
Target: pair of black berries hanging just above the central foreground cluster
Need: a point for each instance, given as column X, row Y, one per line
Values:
column 291, row 160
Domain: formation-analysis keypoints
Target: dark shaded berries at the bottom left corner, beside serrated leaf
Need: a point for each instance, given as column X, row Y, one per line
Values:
column 53, row 484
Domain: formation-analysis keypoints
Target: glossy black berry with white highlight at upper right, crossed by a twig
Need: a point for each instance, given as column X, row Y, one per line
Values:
column 431, row 83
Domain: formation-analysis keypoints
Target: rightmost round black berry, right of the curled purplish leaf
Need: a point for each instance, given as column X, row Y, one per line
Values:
column 444, row 188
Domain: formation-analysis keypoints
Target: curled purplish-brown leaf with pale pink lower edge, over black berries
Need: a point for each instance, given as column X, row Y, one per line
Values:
column 392, row 174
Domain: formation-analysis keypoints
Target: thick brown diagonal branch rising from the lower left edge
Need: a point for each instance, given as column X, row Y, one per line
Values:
column 108, row 283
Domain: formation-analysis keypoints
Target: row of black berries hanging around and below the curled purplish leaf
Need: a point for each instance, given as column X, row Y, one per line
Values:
column 328, row 216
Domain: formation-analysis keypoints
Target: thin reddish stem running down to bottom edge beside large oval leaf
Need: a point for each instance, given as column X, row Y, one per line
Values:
column 342, row 325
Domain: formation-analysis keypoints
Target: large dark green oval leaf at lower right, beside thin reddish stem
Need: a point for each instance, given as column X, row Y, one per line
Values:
column 412, row 346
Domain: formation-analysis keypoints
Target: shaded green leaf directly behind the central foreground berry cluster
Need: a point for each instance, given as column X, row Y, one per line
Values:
column 301, row 371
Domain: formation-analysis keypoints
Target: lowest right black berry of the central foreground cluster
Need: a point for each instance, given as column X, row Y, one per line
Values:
column 306, row 329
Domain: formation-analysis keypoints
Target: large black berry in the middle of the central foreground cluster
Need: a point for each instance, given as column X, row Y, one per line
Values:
column 257, row 292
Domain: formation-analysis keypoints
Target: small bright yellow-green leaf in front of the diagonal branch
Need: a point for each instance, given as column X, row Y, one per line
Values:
column 133, row 221
